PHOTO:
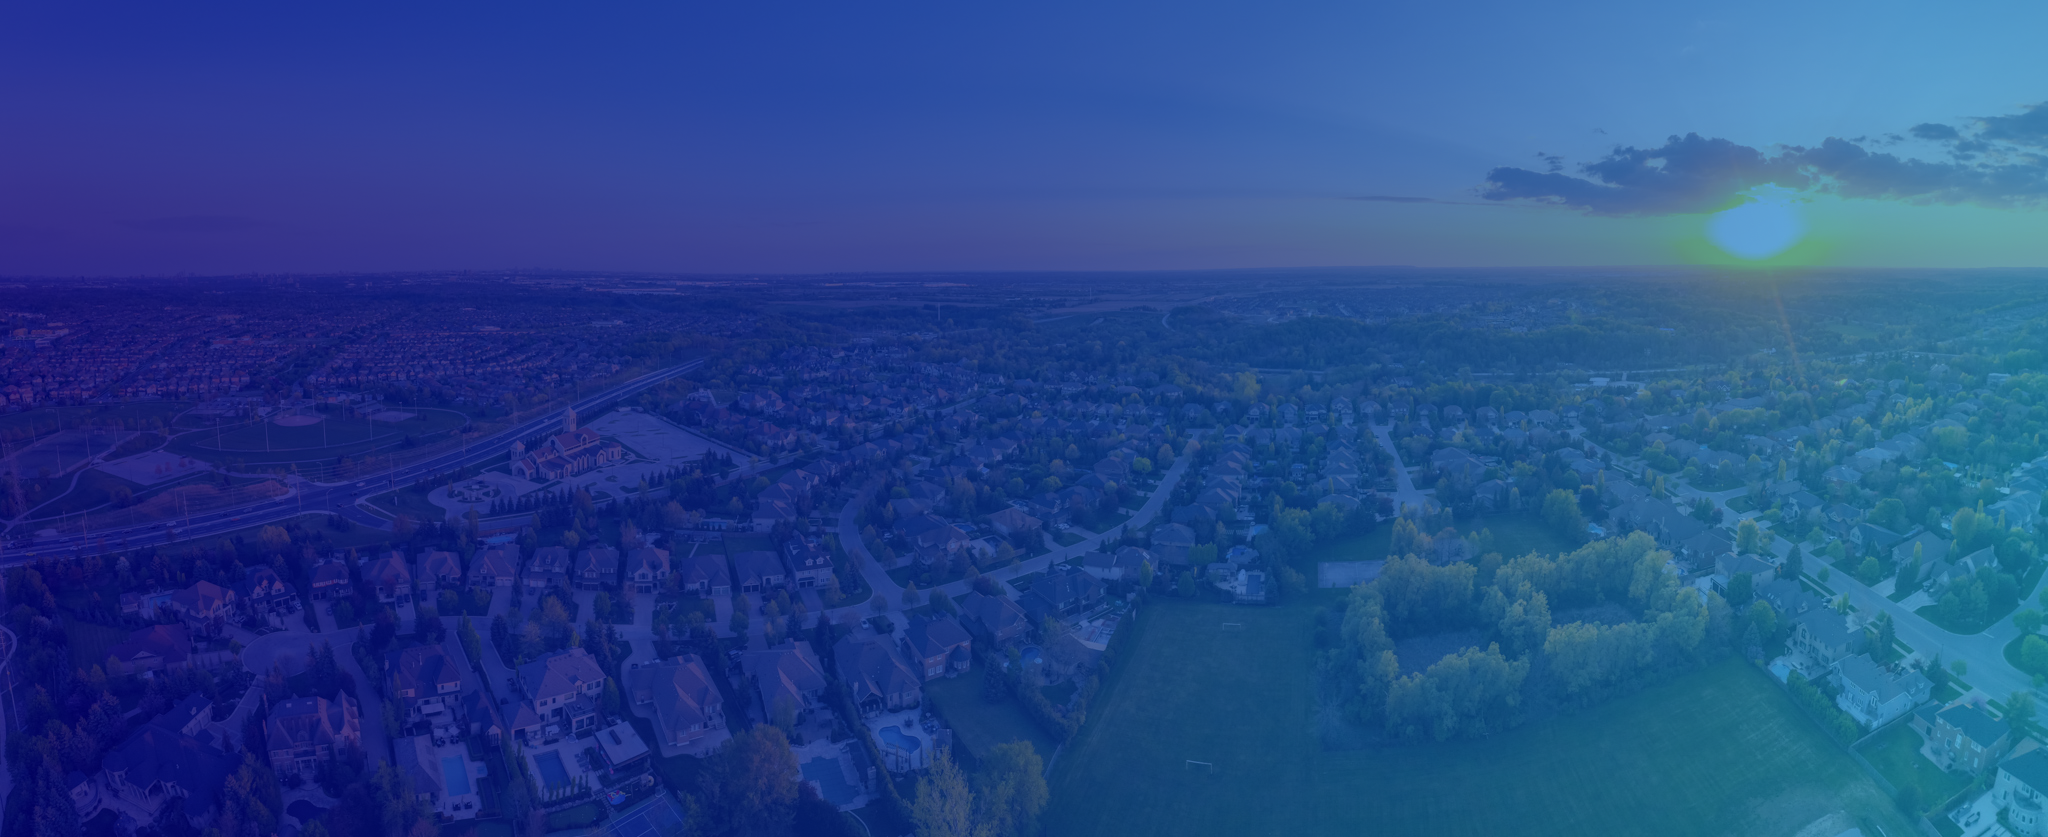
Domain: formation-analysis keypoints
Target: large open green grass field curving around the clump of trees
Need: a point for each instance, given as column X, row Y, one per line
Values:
column 1721, row 752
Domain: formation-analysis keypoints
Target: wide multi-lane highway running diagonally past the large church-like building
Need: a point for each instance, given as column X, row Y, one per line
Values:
column 323, row 498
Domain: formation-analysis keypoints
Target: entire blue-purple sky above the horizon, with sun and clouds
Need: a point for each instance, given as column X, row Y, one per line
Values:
column 1054, row 136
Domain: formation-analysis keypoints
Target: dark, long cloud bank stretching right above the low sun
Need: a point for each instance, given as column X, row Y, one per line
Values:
column 1994, row 167
